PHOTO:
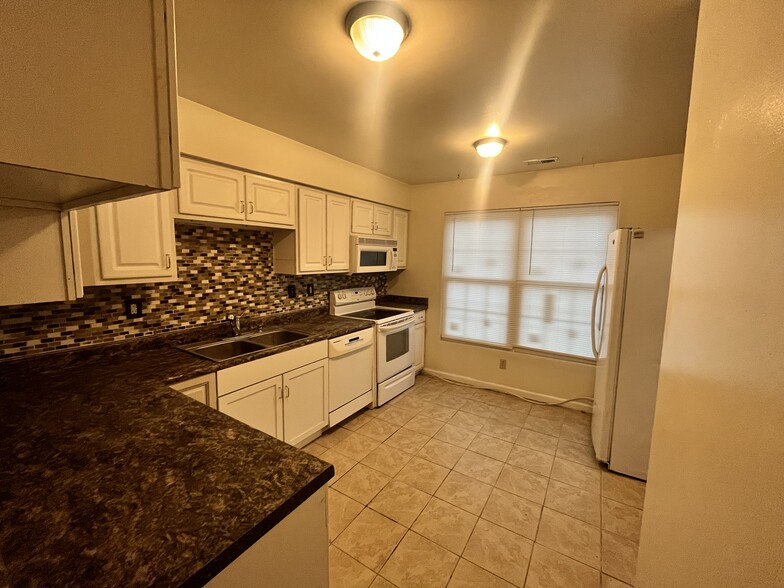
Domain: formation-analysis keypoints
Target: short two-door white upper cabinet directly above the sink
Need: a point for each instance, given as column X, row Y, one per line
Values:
column 216, row 193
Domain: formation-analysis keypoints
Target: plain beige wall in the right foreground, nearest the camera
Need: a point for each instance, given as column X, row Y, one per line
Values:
column 714, row 512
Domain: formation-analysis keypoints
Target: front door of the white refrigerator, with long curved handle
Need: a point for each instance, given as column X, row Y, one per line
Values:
column 610, row 315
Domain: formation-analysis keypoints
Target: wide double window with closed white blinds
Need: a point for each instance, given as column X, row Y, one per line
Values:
column 525, row 277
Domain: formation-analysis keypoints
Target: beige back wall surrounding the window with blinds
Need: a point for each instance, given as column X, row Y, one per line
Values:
column 648, row 192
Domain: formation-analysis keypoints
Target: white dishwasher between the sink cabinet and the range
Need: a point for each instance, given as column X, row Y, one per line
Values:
column 351, row 378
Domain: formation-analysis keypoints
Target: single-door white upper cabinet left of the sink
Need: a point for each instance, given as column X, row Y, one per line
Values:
column 127, row 242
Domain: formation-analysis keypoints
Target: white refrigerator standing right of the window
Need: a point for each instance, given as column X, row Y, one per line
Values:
column 630, row 303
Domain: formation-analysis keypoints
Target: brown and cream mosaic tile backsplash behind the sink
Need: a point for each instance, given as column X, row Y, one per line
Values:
column 221, row 270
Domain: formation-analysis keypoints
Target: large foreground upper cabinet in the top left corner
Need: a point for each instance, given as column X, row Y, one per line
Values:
column 88, row 107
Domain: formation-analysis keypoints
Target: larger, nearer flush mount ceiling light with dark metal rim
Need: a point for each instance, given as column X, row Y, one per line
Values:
column 377, row 29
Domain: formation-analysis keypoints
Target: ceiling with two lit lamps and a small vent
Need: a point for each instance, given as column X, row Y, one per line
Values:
column 588, row 81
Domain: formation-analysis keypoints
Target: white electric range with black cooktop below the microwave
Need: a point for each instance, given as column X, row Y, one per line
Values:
column 394, row 338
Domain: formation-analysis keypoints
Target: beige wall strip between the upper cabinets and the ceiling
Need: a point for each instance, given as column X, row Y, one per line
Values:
column 211, row 134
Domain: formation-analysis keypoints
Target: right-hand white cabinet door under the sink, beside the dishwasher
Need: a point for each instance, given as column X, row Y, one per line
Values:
column 305, row 401
